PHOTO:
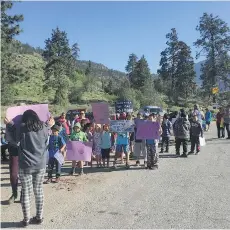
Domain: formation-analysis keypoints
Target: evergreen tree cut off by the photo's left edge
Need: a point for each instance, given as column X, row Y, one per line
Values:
column 9, row 29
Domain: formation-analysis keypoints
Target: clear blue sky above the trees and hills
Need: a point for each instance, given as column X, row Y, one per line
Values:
column 107, row 32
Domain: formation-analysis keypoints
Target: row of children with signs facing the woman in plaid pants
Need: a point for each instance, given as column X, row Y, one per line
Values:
column 124, row 144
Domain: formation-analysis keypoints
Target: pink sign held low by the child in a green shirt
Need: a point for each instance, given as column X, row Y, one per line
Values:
column 79, row 151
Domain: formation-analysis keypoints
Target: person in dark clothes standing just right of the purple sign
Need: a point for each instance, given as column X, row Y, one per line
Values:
column 166, row 127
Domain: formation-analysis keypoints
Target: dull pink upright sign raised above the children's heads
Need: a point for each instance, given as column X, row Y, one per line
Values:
column 101, row 112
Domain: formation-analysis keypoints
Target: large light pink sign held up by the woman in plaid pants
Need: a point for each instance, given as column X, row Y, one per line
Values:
column 15, row 113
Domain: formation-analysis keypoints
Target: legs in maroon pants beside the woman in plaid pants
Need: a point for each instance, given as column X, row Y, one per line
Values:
column 14, row 176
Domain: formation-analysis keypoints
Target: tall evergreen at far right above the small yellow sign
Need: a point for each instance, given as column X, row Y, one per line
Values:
column 214, row 43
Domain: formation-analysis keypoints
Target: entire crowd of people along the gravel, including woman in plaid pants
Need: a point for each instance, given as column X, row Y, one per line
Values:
column 31, row 141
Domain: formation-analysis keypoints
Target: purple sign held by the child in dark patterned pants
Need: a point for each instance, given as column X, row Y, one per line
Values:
column 147, row 130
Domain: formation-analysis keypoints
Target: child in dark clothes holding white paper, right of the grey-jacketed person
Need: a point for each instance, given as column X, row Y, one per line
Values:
column 195, row 131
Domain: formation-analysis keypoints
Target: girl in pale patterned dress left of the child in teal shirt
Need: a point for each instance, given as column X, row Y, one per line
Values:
column 97, row 144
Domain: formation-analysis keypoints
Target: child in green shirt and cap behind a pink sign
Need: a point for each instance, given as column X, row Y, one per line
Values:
column 77, row 135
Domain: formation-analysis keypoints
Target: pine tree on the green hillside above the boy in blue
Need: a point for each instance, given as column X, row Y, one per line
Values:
column 58, row 55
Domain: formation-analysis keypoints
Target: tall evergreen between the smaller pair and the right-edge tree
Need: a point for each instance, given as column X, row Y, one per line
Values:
column 177, row 68
